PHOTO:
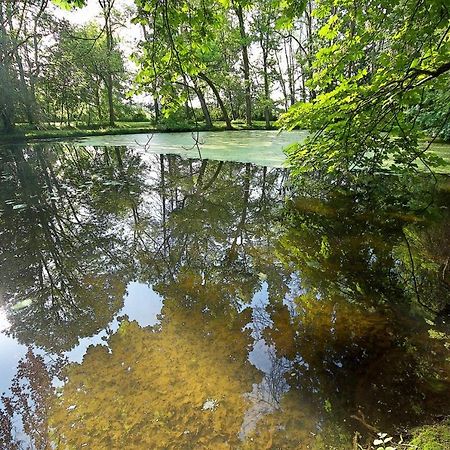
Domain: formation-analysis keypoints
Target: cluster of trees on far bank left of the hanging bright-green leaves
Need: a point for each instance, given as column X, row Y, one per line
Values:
column 54, row 72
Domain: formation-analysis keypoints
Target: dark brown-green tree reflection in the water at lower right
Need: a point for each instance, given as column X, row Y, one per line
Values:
column 353, row 335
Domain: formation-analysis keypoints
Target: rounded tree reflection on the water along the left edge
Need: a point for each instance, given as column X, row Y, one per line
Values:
column 65, row 274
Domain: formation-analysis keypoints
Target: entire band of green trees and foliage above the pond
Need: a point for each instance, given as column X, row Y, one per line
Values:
column 368, row 79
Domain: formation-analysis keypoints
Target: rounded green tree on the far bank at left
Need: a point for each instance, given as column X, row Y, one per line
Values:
column 76, row 84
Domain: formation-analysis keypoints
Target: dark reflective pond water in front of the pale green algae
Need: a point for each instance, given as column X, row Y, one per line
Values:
column 153, row 301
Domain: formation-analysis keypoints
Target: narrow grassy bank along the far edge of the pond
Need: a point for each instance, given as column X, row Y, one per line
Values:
column 24, row 133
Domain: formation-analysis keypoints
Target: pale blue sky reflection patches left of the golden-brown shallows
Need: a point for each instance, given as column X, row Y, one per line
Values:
column 141, row 304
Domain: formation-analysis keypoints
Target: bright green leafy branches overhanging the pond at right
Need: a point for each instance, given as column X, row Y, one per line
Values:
column 379, row 60
